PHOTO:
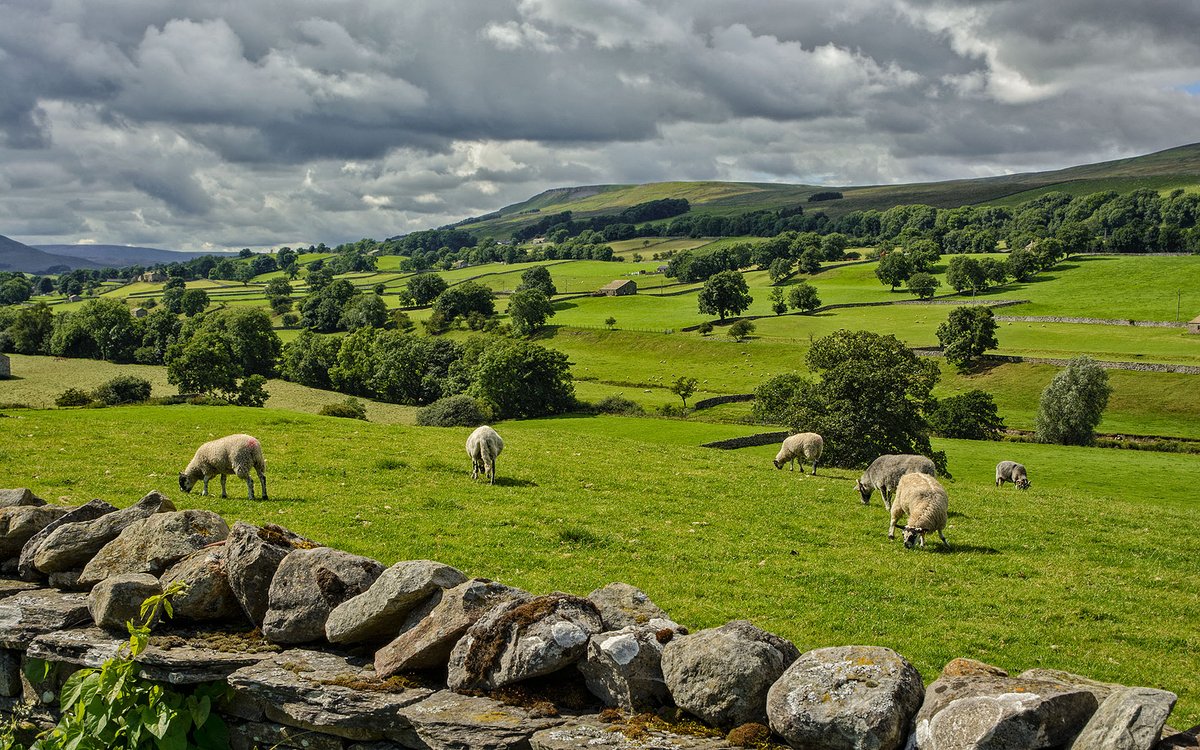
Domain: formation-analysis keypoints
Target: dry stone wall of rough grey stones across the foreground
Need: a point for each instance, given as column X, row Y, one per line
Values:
column 355, row 656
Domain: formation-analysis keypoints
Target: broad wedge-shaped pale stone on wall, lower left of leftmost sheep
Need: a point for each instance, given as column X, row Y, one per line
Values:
column 154, row 544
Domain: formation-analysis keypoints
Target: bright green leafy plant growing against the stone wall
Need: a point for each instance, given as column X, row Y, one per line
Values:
column 115, row 709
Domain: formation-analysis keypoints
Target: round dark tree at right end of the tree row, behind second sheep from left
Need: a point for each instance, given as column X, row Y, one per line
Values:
column 523, row 380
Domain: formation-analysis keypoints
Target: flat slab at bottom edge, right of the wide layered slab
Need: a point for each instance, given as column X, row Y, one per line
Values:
column 451, row 722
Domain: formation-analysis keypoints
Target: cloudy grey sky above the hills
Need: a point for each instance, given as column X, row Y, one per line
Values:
column 212, row 125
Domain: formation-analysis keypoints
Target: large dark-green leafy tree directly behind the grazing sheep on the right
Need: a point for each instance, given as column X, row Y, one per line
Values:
column 872, row 399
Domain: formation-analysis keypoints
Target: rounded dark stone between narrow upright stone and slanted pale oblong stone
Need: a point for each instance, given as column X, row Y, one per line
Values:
column 308, row 586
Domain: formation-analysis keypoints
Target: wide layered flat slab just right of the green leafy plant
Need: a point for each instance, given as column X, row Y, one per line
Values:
column 326, row 693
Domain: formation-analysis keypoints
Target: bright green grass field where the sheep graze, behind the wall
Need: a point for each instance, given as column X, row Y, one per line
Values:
column 1093, row 571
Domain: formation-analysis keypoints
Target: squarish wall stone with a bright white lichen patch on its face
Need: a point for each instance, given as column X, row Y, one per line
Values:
column 625, row 668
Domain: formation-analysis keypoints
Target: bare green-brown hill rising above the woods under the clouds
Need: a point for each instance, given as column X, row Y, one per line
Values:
column 1163, row 171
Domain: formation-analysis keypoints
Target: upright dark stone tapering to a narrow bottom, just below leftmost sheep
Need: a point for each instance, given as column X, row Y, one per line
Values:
column 253, row 556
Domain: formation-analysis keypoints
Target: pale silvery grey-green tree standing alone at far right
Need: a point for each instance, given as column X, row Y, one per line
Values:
column 1073, row 404
